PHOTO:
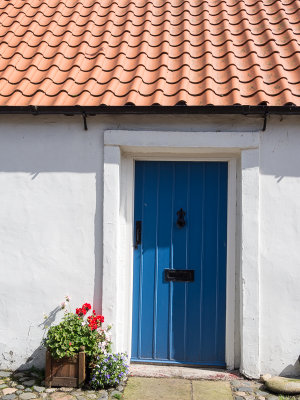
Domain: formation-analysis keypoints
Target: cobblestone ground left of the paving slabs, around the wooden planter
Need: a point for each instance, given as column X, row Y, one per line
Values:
column 30, row 386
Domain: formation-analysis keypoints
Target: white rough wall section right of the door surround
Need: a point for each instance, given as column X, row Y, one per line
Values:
column 280, row 248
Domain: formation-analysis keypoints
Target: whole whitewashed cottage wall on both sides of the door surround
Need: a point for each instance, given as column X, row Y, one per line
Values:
column 51, row 178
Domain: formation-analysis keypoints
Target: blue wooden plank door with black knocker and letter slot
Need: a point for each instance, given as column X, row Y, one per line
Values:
column 180, row 231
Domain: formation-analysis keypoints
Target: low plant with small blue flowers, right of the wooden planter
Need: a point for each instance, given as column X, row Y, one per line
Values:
column 109, row 371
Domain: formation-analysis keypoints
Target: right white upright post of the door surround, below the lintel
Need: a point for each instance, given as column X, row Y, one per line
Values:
column 250, row 278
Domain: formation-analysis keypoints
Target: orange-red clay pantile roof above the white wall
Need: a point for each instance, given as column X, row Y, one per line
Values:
column 145, row 52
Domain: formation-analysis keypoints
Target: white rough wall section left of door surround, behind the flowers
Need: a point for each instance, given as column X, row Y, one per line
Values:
column 51, row 184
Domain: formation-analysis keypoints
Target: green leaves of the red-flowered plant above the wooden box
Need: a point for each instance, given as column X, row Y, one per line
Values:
column 67, row 338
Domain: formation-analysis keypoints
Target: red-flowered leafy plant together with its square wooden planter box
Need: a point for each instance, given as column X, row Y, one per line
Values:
column 72, row 344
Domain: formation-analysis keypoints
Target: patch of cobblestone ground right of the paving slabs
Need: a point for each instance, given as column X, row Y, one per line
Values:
column 252, row 390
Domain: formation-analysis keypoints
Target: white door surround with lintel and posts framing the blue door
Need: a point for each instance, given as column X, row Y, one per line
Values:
column 121, row 149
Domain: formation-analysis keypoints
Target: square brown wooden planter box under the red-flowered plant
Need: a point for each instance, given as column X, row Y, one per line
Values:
column 65, row 371
